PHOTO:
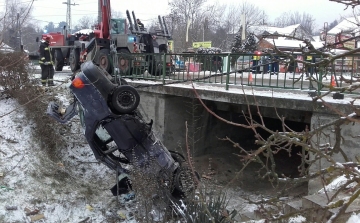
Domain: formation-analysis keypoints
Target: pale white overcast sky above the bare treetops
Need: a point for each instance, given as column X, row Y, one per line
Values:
column 54, row 10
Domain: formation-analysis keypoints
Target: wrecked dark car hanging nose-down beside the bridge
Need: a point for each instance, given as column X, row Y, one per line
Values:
column 118, row 135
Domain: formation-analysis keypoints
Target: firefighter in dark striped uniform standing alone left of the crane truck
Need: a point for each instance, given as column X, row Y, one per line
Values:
column 46, row 62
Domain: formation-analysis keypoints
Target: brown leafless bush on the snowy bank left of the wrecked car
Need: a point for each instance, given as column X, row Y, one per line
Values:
column 16, row 81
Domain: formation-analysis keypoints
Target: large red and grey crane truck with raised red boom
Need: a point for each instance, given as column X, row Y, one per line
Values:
column 111, row 37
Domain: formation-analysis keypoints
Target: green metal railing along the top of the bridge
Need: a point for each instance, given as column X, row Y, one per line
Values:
column 270, row 71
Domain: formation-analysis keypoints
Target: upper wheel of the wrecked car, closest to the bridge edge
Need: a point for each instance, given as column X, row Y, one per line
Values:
column 125, row 99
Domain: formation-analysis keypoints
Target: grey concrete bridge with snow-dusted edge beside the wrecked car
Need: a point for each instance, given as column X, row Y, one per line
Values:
column 172, row 106
